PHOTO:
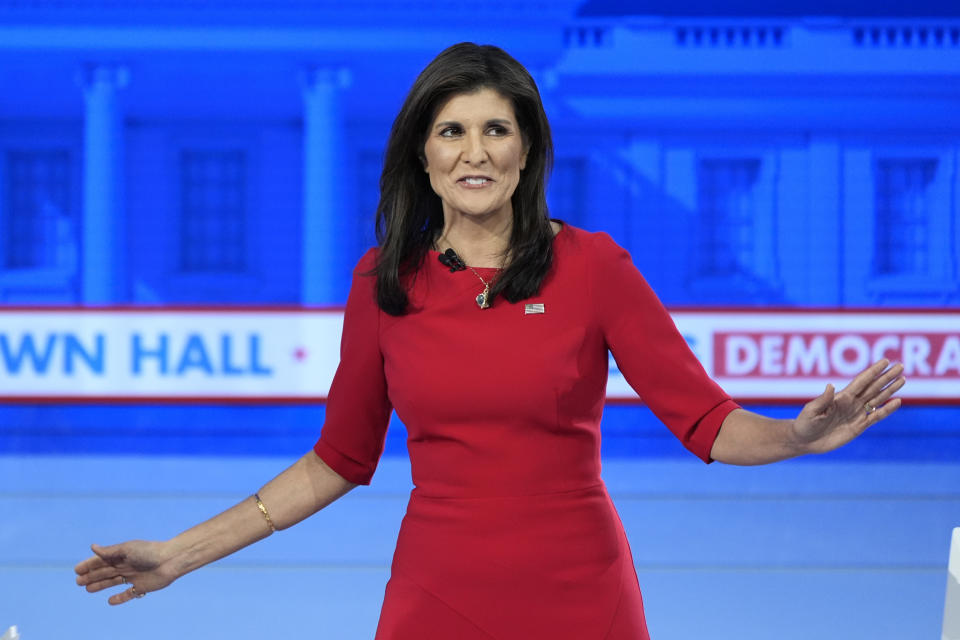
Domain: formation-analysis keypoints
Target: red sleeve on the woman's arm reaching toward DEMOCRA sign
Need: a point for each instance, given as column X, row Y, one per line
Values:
column 650, row 352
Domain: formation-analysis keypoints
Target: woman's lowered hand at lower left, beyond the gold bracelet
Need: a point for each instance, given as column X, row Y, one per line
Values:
column 143, row 565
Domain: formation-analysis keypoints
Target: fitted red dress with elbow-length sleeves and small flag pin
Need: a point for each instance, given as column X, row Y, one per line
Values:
column 510, row 532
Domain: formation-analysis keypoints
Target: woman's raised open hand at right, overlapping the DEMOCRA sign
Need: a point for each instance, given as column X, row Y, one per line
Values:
column 837, row 417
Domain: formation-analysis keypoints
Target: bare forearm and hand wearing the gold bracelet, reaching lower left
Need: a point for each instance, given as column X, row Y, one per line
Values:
column 300, row 491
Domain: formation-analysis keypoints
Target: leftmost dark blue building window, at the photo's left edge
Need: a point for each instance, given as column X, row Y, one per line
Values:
column 39, row 223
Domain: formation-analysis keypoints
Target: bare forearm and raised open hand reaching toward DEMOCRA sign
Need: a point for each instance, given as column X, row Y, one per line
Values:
column 825, row 423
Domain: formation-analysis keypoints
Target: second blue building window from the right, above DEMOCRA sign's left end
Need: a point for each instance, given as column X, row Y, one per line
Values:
column 727, row 206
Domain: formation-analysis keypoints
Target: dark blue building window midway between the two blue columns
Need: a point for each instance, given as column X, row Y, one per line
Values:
column 213, row 228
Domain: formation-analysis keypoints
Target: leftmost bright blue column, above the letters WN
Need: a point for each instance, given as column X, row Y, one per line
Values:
column 103, row 207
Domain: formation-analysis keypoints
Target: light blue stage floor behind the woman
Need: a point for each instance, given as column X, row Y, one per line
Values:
column 799, row 550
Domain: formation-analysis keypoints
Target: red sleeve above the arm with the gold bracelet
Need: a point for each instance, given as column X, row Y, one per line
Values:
column 358, row 409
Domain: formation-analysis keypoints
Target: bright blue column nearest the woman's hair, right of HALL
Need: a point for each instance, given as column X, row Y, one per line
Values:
column 327, row 225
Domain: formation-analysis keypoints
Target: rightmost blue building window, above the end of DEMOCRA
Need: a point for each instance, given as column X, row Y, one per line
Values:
column 903, row 208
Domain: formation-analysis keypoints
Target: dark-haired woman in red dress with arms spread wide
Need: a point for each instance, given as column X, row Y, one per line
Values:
column 487, row 326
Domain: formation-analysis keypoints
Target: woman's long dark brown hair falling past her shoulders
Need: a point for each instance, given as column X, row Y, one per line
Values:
column 410, row 214
